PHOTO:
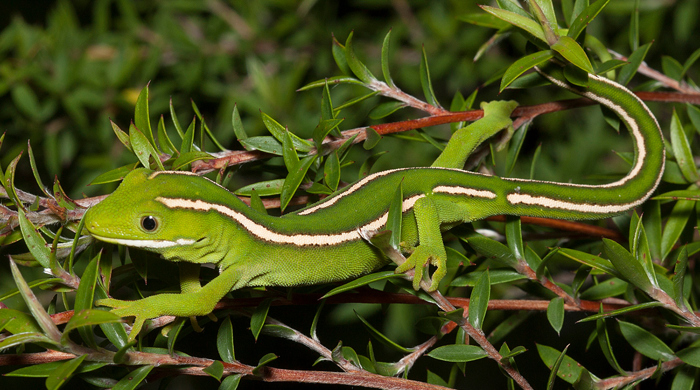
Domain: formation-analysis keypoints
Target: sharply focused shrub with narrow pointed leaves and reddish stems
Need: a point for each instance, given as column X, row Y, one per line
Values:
column 625, row 292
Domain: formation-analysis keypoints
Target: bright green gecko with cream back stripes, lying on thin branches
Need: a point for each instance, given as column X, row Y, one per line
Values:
column 191, row 220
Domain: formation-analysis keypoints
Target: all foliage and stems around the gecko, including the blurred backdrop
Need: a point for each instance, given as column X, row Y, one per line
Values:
column 629, row 298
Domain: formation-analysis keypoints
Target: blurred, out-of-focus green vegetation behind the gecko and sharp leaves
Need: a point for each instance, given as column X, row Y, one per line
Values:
column 68, row 67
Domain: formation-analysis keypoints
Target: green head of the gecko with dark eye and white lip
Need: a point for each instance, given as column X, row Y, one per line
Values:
column 134, row 216
